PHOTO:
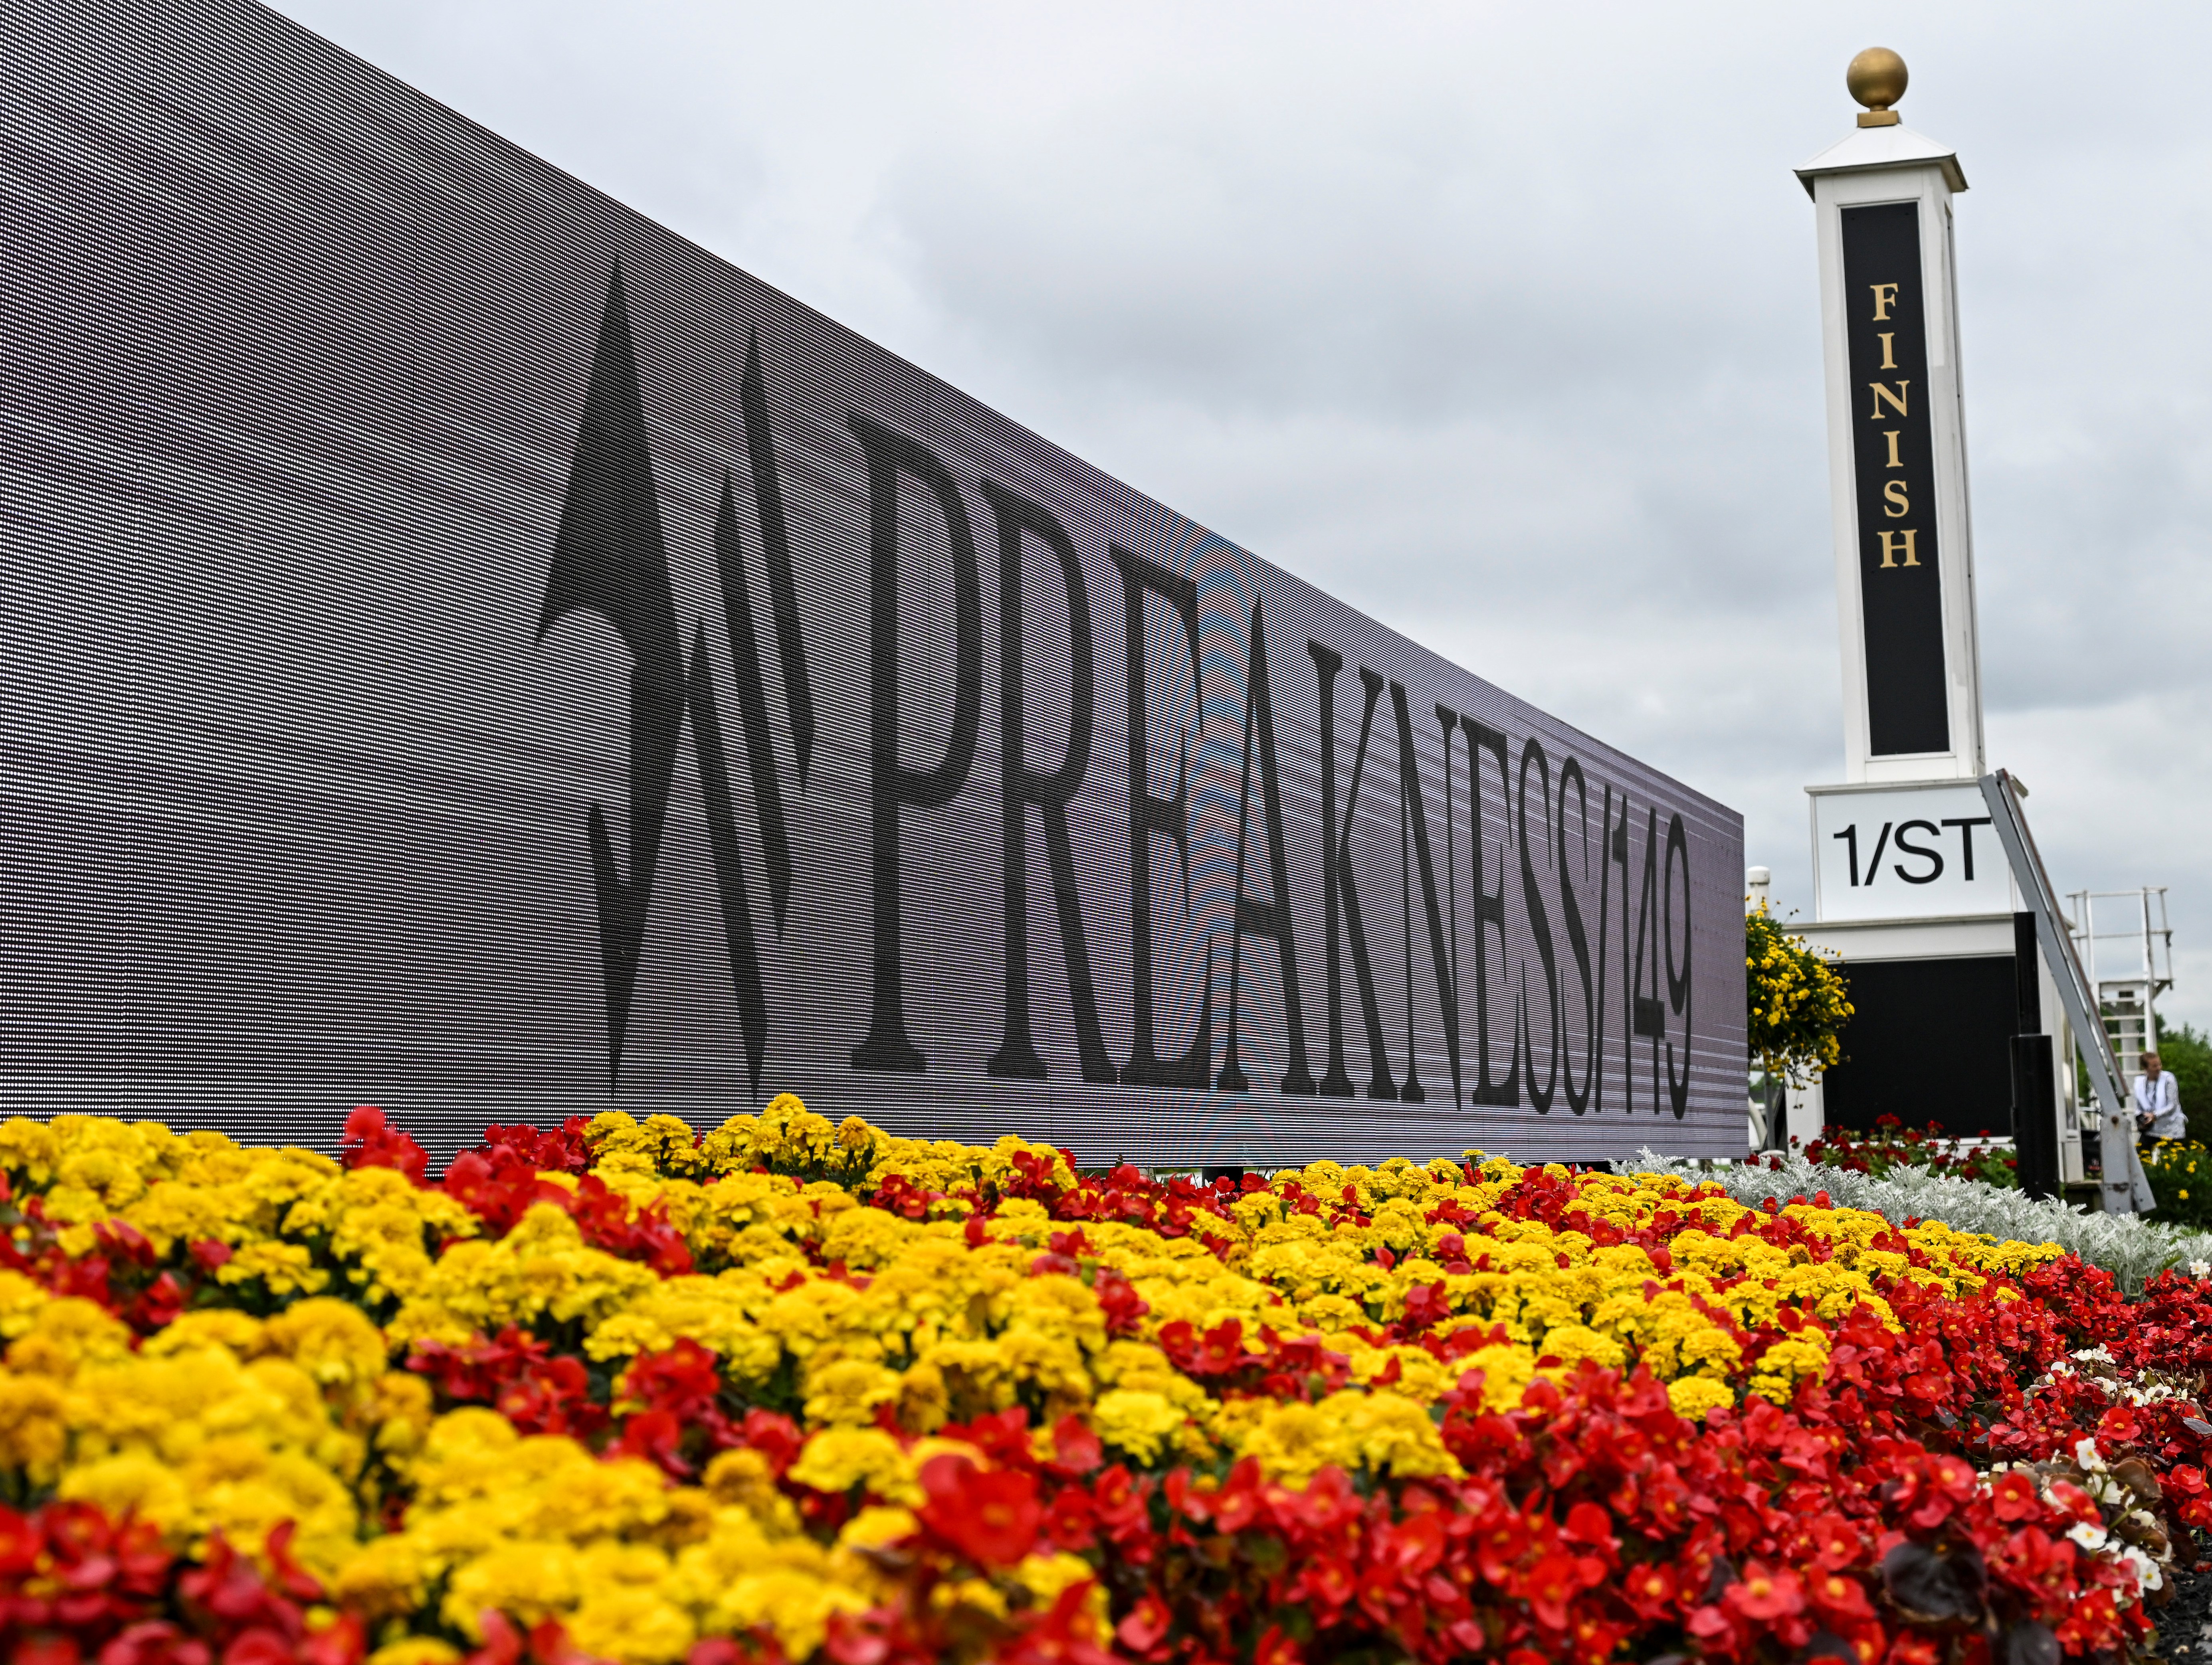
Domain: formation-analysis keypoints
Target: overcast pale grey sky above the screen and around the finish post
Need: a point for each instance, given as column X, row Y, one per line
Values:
column 1501, row 324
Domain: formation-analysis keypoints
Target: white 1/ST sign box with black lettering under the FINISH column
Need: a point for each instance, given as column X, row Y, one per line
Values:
column 1906, row 855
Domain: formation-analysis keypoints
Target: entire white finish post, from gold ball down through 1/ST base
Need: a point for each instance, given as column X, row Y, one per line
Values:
column 1906, row 861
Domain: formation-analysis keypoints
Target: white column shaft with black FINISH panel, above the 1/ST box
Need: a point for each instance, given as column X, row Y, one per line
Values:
column 1912, row 680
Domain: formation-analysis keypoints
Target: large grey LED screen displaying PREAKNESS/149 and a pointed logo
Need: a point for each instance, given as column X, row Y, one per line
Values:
column 472, row 651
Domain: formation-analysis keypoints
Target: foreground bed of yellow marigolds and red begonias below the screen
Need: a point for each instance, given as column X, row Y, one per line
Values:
column 804, row 1392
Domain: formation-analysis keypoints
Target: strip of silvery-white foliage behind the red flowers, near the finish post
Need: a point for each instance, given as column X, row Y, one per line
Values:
column 2122, row 1244
